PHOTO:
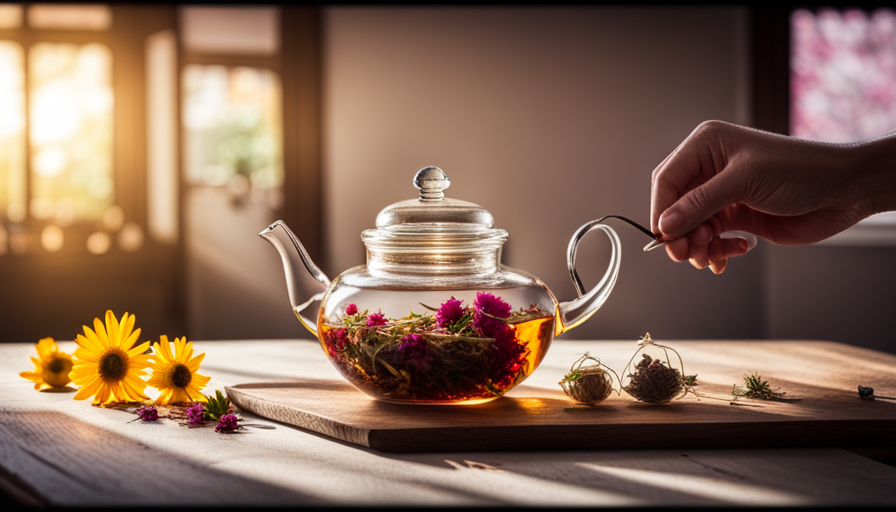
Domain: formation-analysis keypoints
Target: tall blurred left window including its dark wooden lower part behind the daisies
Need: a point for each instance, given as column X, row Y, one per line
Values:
column 76, row 211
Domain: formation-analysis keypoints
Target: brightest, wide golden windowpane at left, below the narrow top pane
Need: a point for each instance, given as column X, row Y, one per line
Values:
column 71, row 105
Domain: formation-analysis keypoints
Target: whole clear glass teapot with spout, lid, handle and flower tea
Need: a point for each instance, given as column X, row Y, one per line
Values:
column 434, row 317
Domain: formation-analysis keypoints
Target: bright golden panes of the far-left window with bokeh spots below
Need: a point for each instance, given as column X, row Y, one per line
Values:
column 59, row 188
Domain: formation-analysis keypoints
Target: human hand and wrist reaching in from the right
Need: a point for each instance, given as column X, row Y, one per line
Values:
column 789, row 191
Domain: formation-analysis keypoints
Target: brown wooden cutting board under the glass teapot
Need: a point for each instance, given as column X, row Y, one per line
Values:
column 823, row 376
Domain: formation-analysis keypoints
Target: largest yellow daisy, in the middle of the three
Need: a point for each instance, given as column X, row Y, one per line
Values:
column 107, row 364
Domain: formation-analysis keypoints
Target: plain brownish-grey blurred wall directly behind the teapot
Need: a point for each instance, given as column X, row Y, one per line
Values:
column 549, row 118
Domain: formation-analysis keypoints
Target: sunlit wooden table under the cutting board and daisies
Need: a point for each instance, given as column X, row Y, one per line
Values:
column 54, row 450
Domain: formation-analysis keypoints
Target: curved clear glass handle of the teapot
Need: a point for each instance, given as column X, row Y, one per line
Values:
column 578, row 310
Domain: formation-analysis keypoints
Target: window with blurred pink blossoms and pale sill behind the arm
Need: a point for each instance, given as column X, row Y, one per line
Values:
column 843, row 89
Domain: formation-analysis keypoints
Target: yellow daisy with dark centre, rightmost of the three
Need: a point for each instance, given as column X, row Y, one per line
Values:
column 175, row 374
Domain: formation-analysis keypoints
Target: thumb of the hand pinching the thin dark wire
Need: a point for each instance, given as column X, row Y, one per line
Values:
column 701, row 203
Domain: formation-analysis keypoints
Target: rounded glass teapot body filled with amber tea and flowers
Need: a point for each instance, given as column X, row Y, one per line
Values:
column 436, row 339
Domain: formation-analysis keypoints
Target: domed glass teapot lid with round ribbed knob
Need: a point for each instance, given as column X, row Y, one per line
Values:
column 433, row 208
